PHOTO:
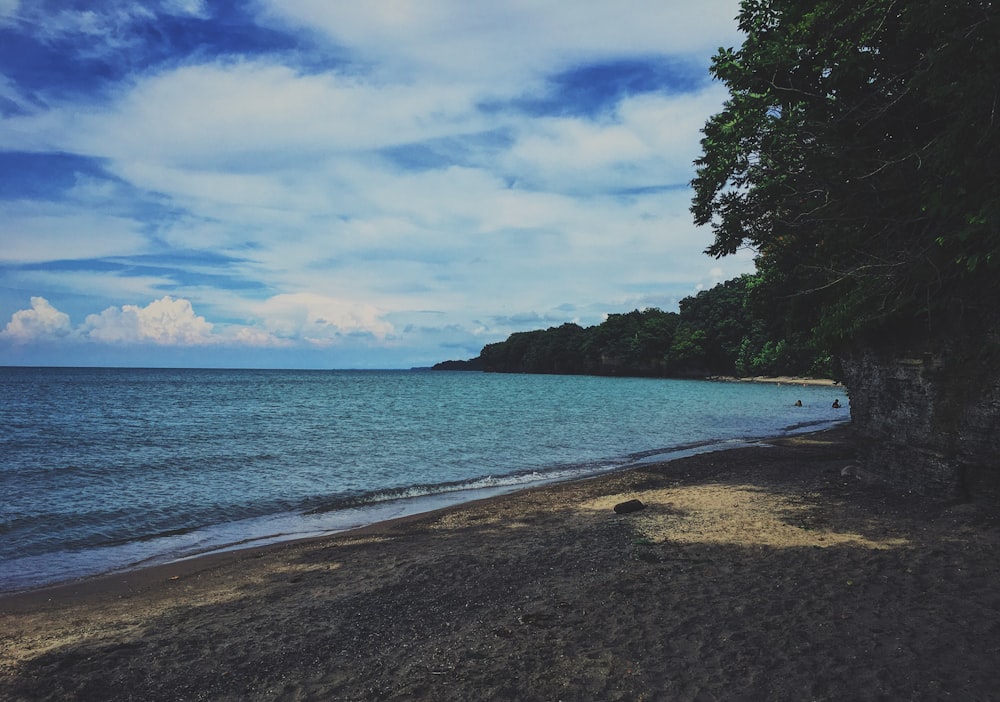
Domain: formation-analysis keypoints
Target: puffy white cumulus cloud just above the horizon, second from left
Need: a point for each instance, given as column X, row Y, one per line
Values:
column 165, row 321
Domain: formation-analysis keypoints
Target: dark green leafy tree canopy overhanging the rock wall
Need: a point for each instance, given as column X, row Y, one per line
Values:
column 858, row 156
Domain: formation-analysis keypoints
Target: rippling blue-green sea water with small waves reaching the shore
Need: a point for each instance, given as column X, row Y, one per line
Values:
column 111, row 469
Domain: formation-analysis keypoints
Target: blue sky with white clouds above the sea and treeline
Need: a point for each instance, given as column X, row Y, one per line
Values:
column 325, row 184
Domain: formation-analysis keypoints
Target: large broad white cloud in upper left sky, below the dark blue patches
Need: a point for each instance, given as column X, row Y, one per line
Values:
column 260, row 113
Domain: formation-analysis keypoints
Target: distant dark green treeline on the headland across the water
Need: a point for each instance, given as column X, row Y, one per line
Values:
column 716, row 332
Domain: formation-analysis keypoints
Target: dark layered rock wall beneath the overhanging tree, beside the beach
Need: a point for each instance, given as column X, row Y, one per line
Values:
column 928, row 417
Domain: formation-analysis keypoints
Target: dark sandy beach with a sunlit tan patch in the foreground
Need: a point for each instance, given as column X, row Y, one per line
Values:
column 753, row 574
